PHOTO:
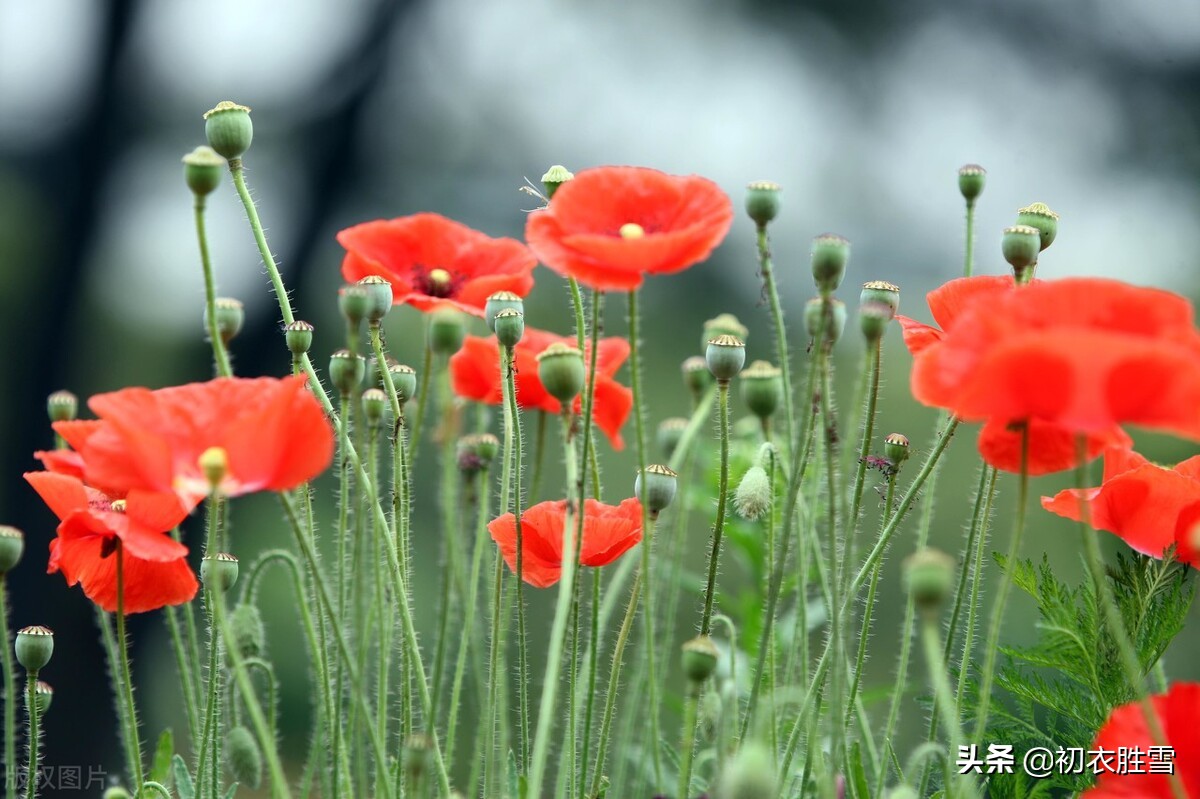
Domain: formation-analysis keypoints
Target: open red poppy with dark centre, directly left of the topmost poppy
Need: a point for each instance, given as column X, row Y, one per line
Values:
column 431, row 262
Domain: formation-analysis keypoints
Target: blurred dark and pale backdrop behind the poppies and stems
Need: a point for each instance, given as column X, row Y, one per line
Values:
column 863, row 112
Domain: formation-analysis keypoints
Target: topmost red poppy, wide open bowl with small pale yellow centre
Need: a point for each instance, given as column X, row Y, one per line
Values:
column 613, row 226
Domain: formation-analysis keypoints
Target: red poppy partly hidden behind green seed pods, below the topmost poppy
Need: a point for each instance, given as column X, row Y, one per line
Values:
column 476, row 371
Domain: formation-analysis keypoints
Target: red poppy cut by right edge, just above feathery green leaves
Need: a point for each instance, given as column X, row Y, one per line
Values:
column 1150, row 507
